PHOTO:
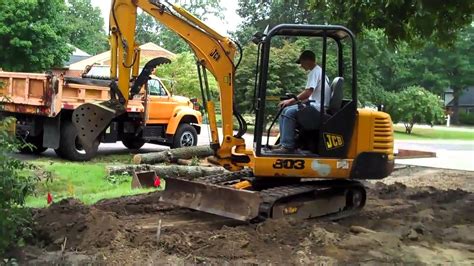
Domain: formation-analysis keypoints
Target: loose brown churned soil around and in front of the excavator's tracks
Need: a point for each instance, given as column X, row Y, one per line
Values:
column 417, row 216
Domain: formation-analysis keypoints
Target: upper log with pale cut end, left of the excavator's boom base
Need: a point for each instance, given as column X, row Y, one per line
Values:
column 173, row 155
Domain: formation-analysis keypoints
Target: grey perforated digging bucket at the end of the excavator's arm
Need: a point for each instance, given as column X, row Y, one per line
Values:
column 91, row 119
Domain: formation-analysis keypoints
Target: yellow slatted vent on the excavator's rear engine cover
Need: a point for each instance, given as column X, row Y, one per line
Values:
column 383, row 134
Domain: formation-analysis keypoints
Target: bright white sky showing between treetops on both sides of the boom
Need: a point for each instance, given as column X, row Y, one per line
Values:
column 229, row 24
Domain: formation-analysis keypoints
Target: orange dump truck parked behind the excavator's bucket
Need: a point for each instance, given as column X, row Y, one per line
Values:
column 43, row 104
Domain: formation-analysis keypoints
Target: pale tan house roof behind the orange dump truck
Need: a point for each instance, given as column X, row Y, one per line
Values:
column 147, row 51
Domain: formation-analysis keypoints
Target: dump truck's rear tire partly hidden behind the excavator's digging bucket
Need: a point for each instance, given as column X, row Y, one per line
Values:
column 70, row 147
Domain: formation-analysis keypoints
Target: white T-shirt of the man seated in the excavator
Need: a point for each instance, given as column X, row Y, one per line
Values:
column 314, row 81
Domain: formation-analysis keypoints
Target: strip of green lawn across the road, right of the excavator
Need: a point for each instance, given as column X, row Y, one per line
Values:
column 433, row 133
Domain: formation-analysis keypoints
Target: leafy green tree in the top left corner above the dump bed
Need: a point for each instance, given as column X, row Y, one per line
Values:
column 32, row 35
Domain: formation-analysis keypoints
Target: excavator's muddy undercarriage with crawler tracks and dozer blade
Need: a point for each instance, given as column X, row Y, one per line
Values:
column 266, row 198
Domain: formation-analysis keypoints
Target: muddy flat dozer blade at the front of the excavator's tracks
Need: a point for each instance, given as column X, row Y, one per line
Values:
column 237, row 204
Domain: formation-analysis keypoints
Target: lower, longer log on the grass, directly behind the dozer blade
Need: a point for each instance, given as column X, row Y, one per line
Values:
column 189, row 172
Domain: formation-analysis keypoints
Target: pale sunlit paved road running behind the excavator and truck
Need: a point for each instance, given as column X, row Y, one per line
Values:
column 450, row 154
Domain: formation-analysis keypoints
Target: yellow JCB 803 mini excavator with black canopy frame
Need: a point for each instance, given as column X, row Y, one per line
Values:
column 319, row 179
